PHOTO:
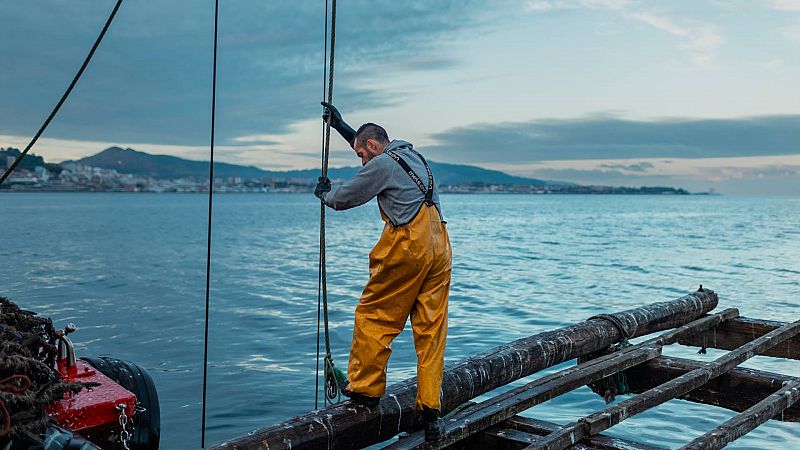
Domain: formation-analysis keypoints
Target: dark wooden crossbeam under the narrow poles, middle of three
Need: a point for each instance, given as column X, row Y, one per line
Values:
column 737, row 390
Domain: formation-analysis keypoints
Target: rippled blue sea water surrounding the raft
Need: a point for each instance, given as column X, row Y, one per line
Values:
column 129, row 271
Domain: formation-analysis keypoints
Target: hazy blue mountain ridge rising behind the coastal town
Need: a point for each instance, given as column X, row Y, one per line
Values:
column 163, row 166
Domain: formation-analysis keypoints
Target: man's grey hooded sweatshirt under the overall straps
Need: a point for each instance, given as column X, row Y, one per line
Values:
column 398, row 195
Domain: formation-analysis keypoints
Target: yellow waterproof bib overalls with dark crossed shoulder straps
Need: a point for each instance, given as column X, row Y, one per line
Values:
column 409, row 276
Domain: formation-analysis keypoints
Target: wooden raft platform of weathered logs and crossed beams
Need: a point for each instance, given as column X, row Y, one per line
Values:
column 494, row 424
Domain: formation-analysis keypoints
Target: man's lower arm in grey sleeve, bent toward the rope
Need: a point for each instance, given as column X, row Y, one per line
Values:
column 369, row 182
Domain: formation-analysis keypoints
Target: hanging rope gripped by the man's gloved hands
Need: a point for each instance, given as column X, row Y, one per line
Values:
column 334, row 378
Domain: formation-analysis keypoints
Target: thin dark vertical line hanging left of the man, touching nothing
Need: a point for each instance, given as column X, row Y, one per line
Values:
column 210, row 207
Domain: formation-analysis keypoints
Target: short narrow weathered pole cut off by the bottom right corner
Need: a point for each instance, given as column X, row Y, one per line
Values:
column 747, row 421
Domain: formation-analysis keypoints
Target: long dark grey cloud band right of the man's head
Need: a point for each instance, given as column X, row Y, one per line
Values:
column 615, row 138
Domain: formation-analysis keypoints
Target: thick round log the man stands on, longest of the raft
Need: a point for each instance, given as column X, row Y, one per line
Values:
column 347, row 425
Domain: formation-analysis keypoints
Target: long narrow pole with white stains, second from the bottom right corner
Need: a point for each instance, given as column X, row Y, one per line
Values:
column 608, row 417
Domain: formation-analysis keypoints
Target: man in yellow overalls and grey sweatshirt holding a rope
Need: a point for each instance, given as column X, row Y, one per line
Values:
column 409, row 266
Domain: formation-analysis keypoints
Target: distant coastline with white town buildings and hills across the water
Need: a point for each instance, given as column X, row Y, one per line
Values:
column 127, row 170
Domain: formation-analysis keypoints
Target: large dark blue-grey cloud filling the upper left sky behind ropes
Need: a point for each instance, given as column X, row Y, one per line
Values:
column 150, row 80
